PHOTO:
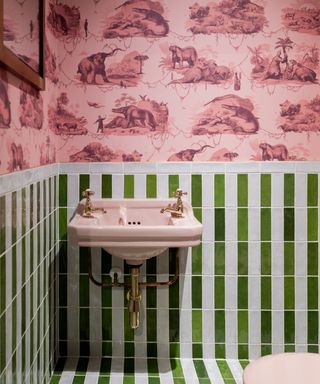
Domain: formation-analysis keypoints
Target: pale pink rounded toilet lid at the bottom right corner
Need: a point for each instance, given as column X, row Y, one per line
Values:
column 284, row 368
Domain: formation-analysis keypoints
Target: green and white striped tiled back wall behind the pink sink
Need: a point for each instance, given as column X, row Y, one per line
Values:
column 251, row 287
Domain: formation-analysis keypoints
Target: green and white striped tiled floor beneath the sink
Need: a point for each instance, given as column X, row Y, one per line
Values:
column 147, row 371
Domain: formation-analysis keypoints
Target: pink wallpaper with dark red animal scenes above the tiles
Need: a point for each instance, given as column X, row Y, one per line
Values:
column 142, row 80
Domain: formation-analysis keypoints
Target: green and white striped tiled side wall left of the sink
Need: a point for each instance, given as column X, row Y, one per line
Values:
column 28, row 228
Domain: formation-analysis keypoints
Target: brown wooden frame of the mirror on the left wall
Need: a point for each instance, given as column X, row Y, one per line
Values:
column 12, row 63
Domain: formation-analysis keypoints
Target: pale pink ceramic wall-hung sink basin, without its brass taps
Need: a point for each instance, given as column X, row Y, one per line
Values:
column 134, row 229
